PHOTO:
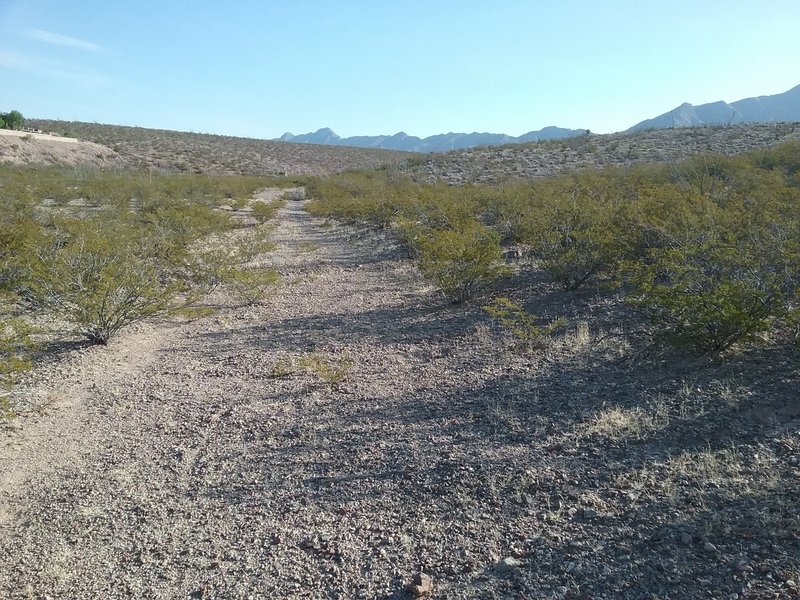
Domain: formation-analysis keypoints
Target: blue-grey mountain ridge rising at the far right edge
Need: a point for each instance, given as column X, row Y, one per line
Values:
column 784, row 107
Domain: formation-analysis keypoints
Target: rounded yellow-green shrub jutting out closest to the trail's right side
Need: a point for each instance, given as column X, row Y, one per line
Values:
column 463, row 261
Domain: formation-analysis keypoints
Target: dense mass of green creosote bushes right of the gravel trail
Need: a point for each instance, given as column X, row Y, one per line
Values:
column 707, row 248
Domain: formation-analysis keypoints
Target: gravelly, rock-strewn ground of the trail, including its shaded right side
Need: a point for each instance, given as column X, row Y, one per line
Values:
column 356, row 434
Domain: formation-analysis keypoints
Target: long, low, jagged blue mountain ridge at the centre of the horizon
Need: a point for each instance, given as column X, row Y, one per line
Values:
column 442, row 142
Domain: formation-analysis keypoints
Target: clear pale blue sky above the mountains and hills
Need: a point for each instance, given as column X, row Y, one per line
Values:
column 259, row 68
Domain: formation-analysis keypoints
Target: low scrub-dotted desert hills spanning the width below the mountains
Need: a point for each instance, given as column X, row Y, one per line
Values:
column 193, row 152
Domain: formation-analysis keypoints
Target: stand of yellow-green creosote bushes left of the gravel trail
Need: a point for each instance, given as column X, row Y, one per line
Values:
column 129, row 249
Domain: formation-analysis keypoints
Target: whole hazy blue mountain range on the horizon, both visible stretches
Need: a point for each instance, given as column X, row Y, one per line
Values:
column 762, row 109
